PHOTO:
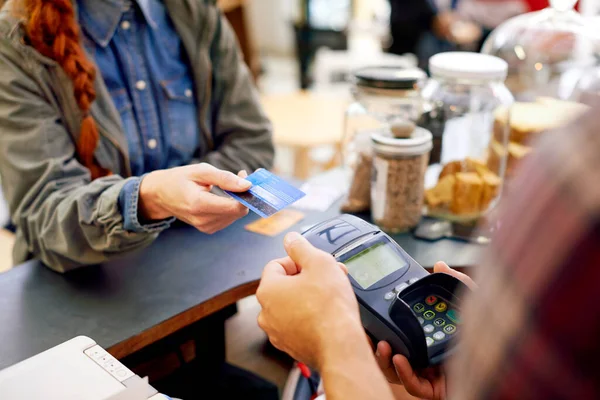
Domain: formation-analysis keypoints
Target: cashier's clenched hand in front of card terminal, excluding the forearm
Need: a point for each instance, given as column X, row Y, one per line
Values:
column 307, row 302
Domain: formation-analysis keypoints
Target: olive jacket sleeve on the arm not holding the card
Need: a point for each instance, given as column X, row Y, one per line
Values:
column 241, row 130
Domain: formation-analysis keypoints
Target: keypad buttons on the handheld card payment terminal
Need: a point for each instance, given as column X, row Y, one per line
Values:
column 437, row 317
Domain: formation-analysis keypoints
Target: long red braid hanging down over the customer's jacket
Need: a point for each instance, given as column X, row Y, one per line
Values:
column 53, row 31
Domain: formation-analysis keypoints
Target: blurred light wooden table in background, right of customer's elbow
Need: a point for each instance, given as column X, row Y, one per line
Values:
column 303, row 121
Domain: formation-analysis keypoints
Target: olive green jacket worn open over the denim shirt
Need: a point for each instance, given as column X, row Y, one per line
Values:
column 62, row 217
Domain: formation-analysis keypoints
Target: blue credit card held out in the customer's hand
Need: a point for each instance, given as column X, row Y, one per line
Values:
column 268, row 194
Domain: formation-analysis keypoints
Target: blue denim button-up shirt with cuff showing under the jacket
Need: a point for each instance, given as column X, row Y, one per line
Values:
column 142, row 61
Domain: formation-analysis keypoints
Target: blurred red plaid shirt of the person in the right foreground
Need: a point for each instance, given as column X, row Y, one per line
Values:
column 532, row 329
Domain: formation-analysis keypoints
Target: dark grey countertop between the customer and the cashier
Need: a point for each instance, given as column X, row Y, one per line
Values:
column 183, row 268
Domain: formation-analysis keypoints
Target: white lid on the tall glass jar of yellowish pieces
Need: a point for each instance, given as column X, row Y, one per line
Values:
column 466, row 65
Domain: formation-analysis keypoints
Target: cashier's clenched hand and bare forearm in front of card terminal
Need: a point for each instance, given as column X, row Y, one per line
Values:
column 309, row 310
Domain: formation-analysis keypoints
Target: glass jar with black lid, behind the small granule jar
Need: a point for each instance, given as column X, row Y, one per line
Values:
column 386, row 100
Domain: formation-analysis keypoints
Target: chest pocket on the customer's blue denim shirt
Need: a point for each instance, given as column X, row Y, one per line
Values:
column 182, row 131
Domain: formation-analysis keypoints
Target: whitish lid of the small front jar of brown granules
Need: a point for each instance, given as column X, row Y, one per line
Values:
column 420, row 142
